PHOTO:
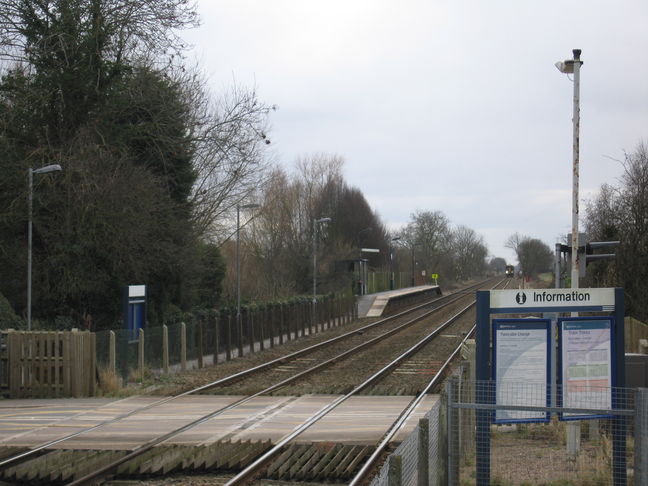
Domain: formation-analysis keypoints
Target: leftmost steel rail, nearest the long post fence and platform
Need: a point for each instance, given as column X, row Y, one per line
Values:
column 37, row 450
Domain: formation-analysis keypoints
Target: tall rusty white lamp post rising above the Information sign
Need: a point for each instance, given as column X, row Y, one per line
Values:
column 572, row 66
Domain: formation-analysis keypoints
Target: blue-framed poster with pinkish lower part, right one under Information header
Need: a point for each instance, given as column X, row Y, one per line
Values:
column 586, row 357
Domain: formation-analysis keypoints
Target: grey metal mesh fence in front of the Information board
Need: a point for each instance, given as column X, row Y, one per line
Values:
column 521, row 434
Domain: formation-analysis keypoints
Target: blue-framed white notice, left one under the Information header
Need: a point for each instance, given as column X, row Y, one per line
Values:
column 521, row 367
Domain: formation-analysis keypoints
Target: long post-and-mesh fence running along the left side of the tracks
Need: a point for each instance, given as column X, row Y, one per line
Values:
column 217, row 336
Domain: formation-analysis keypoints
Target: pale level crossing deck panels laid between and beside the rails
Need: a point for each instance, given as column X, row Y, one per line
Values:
column 361, row 420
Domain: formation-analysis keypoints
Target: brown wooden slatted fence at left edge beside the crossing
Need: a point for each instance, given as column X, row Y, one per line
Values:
column 47, row 364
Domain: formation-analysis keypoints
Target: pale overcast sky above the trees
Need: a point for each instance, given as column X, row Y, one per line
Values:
column 449, row 105
